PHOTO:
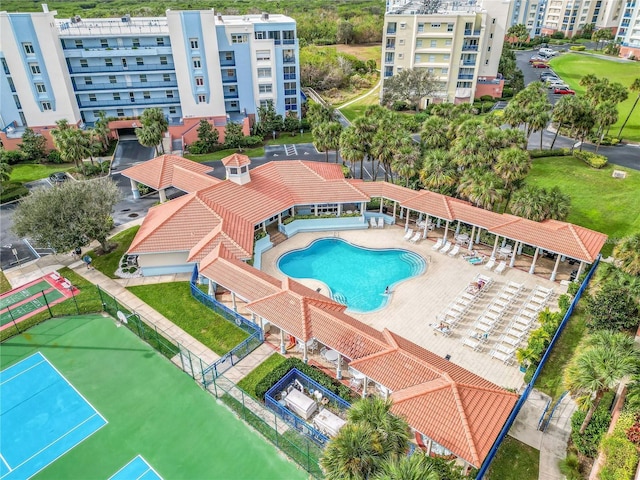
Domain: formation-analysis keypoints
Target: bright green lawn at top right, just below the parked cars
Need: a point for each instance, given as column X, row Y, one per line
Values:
column 572, row 67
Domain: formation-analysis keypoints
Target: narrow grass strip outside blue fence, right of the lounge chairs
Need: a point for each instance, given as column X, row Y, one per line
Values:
column 550, row 380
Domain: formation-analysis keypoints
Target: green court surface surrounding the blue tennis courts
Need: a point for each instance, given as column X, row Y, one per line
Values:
column 153, row 409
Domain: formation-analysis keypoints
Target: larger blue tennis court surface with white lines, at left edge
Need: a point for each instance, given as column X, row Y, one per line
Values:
column 42, row 416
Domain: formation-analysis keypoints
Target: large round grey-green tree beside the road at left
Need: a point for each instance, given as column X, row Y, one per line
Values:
column 70, row 215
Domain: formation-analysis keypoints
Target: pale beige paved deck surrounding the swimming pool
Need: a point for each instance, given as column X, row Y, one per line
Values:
column 415, row 303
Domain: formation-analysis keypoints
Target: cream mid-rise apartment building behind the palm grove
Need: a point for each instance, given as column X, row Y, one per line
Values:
column 460, row 44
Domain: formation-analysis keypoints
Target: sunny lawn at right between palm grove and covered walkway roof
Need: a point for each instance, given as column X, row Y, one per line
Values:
column 598, row 201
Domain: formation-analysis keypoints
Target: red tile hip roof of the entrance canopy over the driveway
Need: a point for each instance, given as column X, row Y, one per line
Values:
column 158, row 172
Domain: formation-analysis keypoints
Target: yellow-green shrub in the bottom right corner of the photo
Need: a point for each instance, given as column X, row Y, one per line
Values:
column 621, row 455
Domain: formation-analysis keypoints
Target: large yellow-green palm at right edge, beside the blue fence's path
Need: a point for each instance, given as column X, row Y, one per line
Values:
column 608, row 358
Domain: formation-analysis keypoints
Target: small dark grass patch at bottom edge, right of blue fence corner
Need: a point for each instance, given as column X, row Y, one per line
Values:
column 514, row 461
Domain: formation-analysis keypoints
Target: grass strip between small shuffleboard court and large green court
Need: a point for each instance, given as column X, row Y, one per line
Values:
column 87, row 299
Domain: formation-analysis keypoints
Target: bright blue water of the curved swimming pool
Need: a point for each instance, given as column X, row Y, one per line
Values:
column 356, row 276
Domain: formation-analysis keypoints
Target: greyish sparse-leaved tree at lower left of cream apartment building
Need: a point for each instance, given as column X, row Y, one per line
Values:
column 411, row 86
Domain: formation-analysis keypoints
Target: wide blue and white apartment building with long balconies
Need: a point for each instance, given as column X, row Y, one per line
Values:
column 190, row 64
